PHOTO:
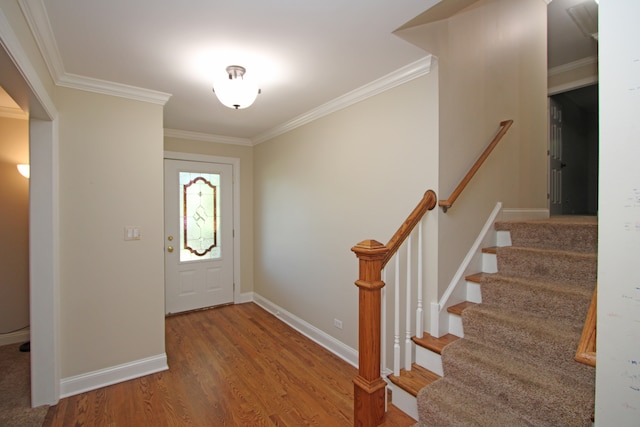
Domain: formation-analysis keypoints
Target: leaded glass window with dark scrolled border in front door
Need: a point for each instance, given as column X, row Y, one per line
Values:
column 199, row 207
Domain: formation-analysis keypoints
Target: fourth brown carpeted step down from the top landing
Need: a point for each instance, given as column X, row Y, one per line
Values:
column 544, row 343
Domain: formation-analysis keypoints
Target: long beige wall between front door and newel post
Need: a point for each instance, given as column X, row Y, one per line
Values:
column 322, row 188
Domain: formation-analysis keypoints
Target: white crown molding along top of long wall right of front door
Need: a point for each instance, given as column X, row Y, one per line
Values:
column 391, row 80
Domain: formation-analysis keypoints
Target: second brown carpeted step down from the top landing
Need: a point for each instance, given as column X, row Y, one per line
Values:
column 545, row 265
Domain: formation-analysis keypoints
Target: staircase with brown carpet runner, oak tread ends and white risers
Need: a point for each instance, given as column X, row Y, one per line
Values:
column 512, row 361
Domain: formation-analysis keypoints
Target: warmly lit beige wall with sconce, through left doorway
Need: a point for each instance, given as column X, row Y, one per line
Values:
column 14, row 226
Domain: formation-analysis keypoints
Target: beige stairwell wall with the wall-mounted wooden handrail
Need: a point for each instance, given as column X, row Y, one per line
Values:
column 492, row 67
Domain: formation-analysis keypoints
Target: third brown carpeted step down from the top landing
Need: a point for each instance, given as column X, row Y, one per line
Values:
column 539, row 298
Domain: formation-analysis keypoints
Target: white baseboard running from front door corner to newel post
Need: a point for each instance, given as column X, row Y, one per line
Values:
column 338, row 348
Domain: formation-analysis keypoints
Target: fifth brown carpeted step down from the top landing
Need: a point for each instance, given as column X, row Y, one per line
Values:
column 554, row 398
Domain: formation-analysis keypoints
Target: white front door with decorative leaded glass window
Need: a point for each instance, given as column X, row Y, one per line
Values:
column 198, row 234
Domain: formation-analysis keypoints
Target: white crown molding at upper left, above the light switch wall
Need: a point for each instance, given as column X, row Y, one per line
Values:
column 36, row 15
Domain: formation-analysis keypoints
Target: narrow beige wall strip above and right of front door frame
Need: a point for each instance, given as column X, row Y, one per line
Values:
column 245, row 154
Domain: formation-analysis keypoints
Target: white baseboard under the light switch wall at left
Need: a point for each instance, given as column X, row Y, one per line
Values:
column 97, row 379
